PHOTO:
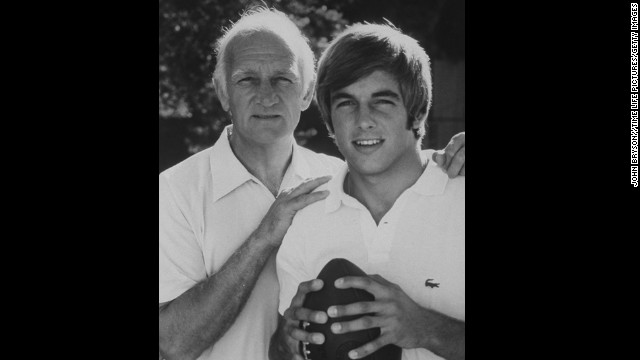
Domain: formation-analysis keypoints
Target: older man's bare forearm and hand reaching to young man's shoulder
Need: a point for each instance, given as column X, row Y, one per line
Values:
column 197, row 318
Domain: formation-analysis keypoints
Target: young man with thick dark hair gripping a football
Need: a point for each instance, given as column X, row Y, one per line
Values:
column 390, row 211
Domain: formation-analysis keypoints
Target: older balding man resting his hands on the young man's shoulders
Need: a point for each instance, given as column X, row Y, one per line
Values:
column 224, row 211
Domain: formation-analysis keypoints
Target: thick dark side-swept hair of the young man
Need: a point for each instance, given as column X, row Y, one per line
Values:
column 364, row 48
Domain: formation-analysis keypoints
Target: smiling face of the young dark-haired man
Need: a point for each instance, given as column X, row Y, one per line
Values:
column 370, row 125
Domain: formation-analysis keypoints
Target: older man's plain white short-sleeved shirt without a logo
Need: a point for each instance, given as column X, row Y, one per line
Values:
column 209, row 205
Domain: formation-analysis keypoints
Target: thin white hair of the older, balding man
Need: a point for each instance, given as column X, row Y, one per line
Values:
column 258, row 19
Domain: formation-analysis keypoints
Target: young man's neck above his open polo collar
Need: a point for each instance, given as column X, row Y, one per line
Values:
column 378, row 192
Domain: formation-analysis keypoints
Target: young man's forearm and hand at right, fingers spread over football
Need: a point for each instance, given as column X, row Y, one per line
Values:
column 401, row 320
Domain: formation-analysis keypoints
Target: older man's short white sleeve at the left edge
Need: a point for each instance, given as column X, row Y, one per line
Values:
column 181, row 259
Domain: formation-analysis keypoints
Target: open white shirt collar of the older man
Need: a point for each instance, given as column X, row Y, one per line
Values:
column 228, row 173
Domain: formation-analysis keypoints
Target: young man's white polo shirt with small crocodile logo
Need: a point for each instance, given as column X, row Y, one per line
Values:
column 421, row 237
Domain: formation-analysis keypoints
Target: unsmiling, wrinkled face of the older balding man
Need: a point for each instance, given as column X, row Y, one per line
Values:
column 265, row 88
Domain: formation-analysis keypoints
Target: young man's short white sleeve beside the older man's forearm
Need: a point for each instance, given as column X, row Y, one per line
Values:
column 290, row 266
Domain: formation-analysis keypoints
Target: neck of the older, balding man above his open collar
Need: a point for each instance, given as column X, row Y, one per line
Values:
column 267, row 162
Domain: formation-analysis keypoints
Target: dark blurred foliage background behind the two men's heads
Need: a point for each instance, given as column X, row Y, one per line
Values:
column 190, row 117
